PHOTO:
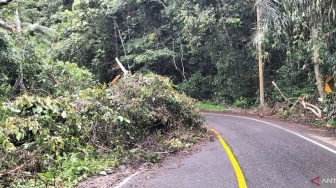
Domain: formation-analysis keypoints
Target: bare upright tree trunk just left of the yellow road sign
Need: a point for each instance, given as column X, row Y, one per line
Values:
column 318, row 75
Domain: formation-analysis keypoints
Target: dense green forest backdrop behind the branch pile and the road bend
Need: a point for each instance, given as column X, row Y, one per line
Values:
column 208, row 48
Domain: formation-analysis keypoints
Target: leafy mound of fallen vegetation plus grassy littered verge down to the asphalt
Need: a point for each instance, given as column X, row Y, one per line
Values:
column 55, row 141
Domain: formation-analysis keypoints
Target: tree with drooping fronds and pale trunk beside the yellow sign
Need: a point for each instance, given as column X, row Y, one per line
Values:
column 312, row 14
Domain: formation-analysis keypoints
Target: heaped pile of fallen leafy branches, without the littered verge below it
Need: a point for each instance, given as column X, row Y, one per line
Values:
column 37, row 131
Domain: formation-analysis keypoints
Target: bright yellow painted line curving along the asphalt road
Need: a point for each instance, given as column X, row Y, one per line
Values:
column 236, row 167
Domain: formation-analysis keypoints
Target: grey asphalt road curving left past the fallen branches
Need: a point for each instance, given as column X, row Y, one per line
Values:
column 270, row 154
